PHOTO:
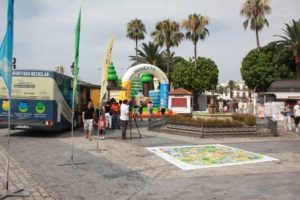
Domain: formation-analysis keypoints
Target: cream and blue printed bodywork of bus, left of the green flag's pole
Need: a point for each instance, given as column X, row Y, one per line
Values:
column 38, row 97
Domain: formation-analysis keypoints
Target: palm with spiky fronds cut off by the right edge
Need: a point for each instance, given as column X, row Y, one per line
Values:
column 291, row 41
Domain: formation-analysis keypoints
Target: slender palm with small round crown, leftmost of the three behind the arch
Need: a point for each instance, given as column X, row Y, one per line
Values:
column 136, row 31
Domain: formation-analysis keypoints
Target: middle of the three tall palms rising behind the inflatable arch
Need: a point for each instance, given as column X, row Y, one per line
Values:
column 167, row 33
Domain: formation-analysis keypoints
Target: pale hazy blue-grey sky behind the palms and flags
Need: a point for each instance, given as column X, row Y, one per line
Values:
column 44, row 31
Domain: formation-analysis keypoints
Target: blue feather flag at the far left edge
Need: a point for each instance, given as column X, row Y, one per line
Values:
column 6, row 48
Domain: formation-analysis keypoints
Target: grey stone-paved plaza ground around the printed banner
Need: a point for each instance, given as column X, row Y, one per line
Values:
column 125, row 169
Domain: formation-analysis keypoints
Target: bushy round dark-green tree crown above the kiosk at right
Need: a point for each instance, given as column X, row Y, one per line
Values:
column 261, row 67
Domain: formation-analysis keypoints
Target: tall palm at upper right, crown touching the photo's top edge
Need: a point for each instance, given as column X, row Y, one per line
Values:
column 255, row 11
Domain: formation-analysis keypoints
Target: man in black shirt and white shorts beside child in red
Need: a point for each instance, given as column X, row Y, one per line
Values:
column 88, row 118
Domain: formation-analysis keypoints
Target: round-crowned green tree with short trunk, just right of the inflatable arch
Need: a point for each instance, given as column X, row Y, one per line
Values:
column 196, row 79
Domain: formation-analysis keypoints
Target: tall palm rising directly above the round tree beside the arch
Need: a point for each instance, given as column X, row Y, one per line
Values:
column 195, row 27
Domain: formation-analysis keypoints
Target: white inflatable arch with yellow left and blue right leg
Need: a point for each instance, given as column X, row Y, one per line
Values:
column 150, row 69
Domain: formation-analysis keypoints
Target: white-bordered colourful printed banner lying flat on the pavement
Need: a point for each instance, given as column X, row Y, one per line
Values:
column 206, row 156
